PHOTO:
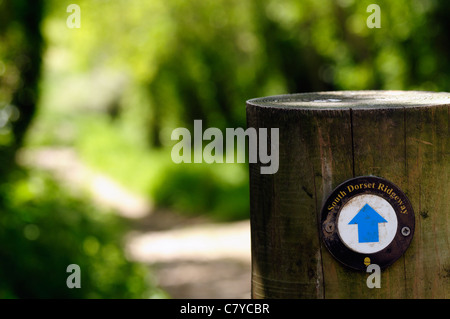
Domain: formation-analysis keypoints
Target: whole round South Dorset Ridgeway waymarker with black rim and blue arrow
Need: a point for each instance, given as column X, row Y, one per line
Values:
column 367, row 220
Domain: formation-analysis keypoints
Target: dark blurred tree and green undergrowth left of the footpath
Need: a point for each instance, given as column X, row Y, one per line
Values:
column 42, row 228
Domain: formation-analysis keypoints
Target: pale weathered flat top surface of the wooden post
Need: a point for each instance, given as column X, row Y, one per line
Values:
column 354, row 99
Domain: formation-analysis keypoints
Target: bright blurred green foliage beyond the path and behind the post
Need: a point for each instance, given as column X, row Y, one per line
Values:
column 139, row 70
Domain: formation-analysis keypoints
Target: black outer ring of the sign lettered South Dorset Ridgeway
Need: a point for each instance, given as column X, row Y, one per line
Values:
column 388, row 255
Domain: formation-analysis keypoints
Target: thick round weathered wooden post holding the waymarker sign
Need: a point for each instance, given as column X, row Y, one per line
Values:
column 325, row 139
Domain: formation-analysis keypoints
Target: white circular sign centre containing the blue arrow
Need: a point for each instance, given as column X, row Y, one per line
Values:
column 367, row 223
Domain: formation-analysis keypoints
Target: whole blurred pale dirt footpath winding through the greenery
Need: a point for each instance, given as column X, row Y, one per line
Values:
column 191, row 257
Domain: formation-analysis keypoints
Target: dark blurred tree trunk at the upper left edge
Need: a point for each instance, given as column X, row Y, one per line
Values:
column 20, row 65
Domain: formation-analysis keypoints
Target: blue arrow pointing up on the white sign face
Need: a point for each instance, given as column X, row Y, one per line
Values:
column 367, row 220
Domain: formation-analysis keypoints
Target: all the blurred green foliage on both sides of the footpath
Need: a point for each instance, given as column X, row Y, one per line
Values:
column 116, row 88
